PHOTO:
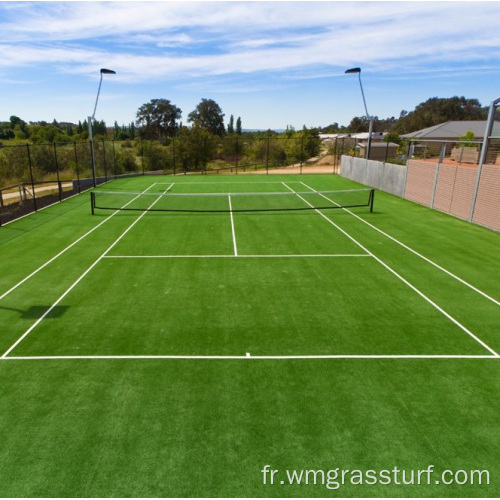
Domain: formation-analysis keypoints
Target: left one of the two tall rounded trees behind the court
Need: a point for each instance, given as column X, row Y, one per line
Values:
column 159, row 118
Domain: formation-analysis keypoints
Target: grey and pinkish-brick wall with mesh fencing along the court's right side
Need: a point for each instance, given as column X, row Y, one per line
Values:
column 461, row 178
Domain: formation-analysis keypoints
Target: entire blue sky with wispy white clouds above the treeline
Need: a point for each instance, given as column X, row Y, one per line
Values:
column 271, row 63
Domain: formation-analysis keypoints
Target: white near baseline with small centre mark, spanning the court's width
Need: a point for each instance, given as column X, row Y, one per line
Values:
column 247, row 356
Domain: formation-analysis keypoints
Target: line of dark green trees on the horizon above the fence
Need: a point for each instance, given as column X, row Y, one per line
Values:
column 209, row 117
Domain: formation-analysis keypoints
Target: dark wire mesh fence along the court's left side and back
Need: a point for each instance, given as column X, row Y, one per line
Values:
column 33, row 176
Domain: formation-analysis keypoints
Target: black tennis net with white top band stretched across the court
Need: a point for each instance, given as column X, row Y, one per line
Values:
column 231, row 202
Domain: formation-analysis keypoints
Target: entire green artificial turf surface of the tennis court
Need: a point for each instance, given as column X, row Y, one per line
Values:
column 173, row 354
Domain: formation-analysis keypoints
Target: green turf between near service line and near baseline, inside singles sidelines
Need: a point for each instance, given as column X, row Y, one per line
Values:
column 230, row 306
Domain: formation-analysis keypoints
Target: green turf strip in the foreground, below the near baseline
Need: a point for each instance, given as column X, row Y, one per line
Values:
column 207, row 428
